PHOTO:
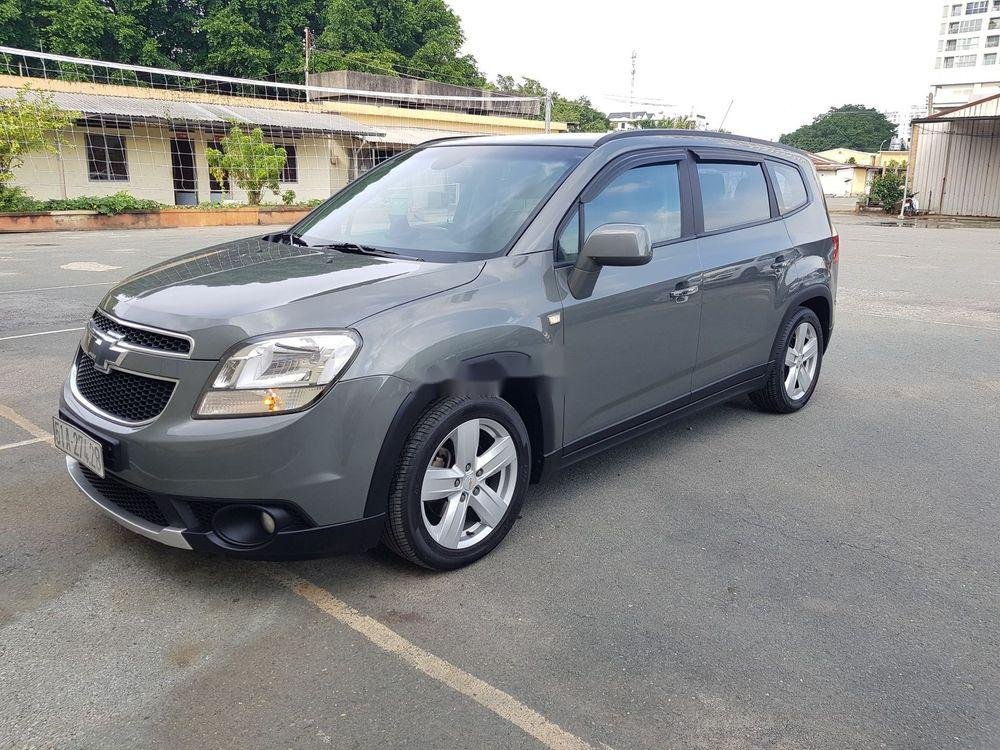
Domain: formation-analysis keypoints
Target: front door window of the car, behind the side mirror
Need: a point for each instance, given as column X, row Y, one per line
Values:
column 649, row 195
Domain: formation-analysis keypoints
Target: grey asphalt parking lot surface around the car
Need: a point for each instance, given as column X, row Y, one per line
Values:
column 829, row 579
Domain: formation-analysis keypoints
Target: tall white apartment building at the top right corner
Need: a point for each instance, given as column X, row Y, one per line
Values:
column 967, row 64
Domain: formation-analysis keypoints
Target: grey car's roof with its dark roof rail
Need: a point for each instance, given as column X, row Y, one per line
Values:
column 637, row 138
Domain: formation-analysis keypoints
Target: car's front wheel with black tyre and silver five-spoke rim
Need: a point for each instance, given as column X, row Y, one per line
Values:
column 459, row 483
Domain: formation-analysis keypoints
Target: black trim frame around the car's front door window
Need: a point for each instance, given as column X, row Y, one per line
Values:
column 618, row 166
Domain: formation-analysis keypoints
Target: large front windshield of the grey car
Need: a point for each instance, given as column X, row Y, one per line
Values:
column 444, row 203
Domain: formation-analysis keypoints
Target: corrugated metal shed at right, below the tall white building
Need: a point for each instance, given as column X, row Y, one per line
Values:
column 955, row 162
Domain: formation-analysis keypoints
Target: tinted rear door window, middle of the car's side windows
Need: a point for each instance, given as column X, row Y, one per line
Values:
column 732, row 194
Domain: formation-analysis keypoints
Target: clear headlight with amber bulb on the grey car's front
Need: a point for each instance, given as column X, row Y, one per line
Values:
column 279, row 374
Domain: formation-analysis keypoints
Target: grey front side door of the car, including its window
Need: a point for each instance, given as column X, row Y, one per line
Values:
column 631, row 346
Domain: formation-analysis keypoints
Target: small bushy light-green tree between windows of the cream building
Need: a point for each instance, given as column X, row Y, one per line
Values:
column 251, row 163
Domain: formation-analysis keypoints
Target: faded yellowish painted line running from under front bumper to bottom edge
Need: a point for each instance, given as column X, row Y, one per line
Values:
column 502, row 704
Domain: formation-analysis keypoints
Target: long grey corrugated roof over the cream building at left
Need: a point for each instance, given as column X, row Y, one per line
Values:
column 169, row 110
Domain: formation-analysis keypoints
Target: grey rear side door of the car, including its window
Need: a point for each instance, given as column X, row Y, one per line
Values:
column 745, row 249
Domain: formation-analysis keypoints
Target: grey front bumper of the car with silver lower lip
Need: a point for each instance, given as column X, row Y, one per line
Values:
column 320, row 461
